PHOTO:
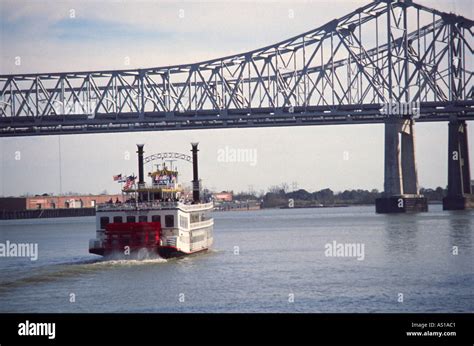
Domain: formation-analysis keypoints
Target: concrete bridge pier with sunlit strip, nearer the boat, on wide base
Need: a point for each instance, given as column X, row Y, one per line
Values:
column 401, row 192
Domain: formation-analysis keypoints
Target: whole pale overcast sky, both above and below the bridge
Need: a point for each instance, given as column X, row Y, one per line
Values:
column 52, row 36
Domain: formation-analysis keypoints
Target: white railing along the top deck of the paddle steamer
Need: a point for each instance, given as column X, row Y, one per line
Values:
column 153, row 205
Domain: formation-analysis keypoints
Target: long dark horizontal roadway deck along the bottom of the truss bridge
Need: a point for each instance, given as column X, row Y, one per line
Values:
column 263, row 117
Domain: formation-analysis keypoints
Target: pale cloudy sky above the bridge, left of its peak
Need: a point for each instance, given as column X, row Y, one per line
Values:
column 151, row 33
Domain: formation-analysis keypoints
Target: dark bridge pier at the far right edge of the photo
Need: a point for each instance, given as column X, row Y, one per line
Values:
column 460, row 195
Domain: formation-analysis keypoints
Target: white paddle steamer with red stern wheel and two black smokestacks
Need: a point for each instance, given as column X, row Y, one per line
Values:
column 155, row 218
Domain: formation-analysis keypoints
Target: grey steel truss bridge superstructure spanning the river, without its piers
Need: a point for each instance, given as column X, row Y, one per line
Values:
column 340, row 73
